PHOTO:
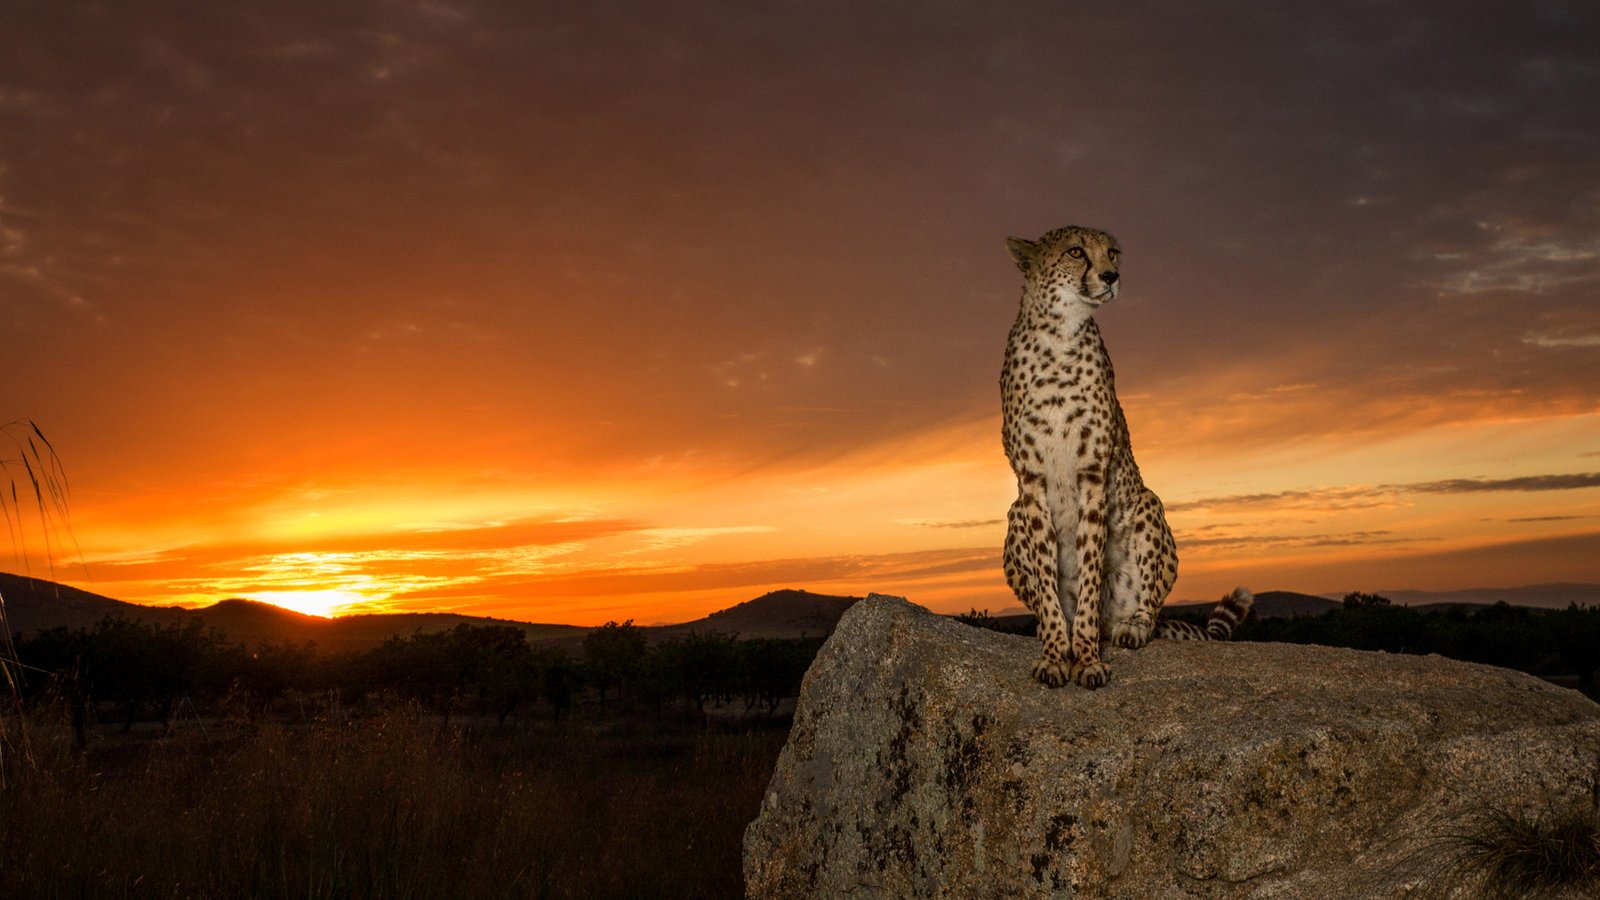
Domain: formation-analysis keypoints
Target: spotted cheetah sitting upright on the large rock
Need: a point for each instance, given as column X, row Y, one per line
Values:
column 1087, row 544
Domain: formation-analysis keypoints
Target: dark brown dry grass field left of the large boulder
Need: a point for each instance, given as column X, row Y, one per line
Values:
column 394, row 806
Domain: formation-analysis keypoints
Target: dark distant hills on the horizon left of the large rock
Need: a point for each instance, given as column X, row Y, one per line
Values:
column 34, row 605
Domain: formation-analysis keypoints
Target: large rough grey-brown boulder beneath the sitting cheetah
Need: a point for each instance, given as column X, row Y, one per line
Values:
column 927, row 763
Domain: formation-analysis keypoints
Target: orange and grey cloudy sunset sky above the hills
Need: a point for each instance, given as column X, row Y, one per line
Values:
column 602, row 311
